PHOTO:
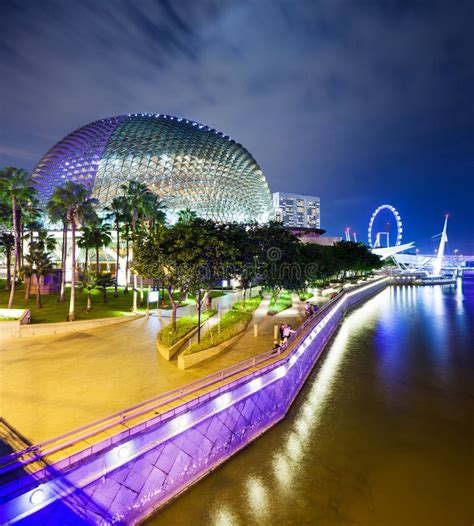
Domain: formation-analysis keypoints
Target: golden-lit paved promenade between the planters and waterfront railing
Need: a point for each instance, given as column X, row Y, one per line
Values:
column 49, row 385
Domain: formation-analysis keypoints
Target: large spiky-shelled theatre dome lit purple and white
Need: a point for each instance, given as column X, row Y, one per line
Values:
column 187, row 164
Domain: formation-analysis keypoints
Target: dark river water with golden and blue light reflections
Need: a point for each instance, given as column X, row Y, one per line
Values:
column 381, row 434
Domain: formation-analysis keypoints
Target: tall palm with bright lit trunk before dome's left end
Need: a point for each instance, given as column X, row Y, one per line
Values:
column 79, row 209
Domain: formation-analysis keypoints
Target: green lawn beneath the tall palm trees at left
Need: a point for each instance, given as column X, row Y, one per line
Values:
column 55, row 311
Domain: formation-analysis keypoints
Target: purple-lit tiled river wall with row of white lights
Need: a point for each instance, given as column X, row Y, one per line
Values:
column 129, row 481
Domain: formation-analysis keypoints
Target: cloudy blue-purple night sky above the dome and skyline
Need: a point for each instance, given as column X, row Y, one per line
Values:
column 360, row 103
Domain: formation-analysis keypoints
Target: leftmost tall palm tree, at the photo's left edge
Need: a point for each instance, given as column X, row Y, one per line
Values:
column 15, row 183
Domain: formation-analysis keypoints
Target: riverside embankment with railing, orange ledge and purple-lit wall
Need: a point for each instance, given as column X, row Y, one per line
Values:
column 120, row 469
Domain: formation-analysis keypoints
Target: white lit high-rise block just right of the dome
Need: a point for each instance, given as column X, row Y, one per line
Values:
column 295, row 210
